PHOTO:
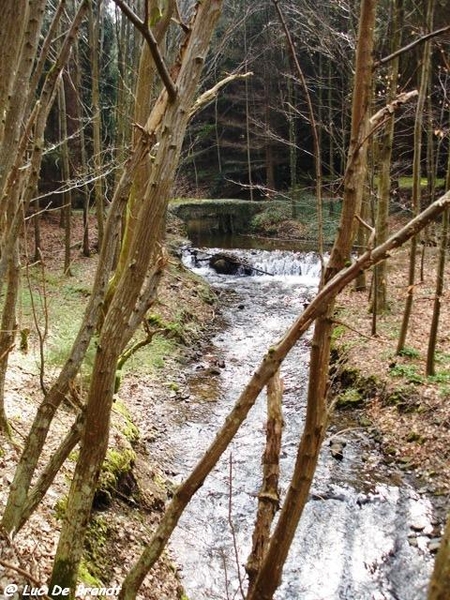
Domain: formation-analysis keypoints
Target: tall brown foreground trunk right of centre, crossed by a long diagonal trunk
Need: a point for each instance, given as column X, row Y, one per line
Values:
column 317, row 415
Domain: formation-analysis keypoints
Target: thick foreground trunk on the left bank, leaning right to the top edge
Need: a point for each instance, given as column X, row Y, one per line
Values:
column 135, row 290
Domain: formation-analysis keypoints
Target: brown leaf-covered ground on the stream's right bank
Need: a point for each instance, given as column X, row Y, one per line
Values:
column 408, row 412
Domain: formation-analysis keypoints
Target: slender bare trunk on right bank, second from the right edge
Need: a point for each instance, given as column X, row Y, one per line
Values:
column 417, row 172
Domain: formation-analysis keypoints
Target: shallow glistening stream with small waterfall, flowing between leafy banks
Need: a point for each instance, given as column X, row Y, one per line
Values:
column 364, row 532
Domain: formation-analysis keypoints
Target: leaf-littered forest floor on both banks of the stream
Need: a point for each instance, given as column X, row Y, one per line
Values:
column 408, row 413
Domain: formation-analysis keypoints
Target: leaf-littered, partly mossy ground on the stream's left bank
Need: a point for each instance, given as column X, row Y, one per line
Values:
column 134, row 486
